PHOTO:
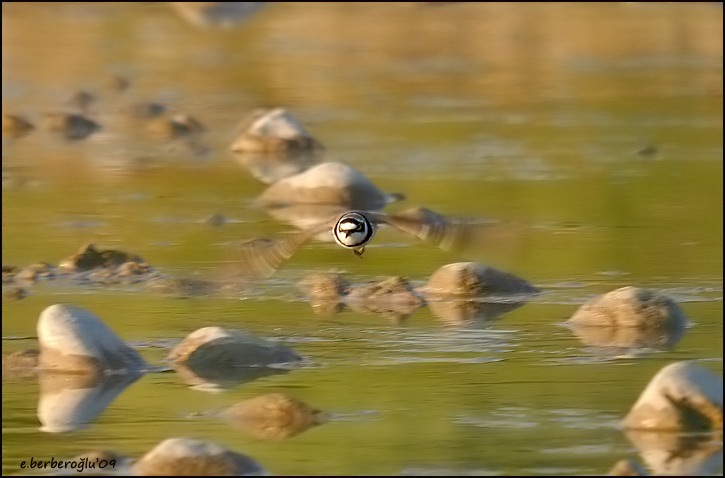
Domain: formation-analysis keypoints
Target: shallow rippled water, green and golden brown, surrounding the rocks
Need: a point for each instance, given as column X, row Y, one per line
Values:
column 598, row 127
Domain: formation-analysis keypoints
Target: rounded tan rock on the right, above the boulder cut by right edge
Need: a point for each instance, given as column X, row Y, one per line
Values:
column 631, row 307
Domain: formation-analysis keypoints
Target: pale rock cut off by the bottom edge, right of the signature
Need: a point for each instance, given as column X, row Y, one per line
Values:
column 190, row 457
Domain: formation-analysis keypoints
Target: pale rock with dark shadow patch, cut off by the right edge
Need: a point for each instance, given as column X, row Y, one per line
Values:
column 683, row 396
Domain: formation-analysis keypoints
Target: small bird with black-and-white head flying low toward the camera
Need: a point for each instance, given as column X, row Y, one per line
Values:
column 354, row 230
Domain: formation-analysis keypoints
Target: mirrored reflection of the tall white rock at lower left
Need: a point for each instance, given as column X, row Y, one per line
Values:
column 70, row 401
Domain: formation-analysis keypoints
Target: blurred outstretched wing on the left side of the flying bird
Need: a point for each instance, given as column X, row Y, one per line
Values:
column 262, row 257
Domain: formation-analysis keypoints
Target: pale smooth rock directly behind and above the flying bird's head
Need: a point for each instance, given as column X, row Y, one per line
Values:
column 329, row 183
